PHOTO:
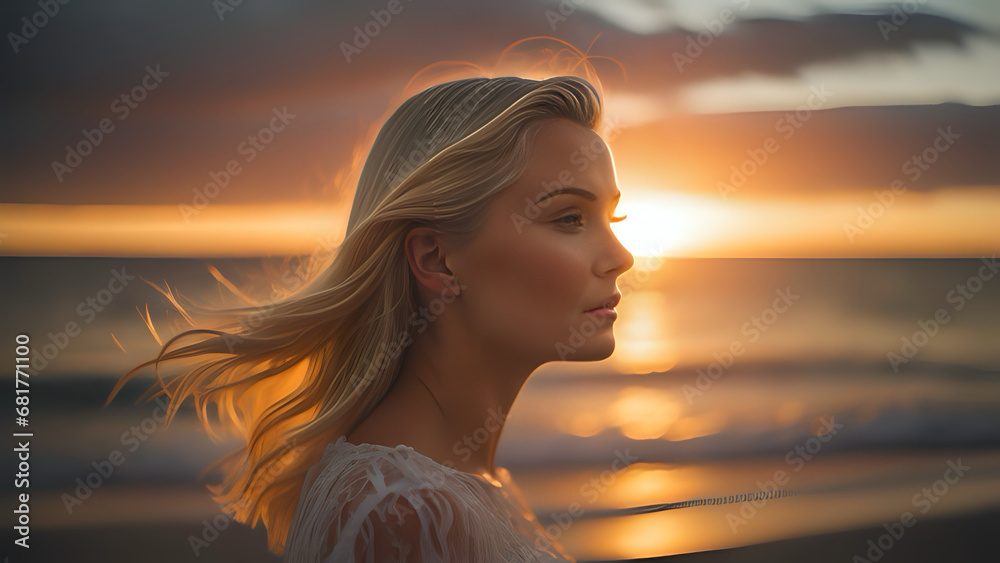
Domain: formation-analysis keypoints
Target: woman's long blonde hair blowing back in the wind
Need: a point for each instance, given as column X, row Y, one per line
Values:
column 312, row 368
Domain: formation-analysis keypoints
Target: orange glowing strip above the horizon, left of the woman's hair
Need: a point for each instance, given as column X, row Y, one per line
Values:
column 162, row 231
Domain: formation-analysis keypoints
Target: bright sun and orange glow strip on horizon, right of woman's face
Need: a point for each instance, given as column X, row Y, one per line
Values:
column 954, row 223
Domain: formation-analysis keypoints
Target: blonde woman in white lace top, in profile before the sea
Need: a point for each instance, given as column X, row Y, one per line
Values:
column 373, row 399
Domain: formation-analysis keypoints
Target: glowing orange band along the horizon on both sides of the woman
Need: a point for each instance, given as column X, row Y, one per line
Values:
column 952, row 223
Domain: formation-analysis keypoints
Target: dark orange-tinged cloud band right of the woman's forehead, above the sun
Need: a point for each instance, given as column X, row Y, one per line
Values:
column 850, row 148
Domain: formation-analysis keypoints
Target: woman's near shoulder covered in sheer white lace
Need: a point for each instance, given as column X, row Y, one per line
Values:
column 384, row 500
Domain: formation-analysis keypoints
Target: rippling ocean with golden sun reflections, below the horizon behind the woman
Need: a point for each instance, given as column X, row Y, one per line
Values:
column 867, row 389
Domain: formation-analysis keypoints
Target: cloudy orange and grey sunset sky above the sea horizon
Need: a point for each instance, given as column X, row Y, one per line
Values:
column 765, row 128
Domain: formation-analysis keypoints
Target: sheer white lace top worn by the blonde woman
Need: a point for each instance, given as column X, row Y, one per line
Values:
column 372, row 503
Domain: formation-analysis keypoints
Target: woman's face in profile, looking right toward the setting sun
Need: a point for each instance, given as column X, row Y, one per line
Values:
column 535, row 270
